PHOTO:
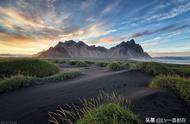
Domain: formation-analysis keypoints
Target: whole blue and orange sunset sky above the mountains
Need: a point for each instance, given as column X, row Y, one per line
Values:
column 161, row 27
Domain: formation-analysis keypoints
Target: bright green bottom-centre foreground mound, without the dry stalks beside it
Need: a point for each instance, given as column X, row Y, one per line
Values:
column 109, row 113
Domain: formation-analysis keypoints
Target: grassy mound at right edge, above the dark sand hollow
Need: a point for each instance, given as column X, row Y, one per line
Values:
column 176, row 83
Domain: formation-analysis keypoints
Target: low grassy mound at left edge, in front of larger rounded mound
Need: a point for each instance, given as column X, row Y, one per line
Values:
column 16, row 82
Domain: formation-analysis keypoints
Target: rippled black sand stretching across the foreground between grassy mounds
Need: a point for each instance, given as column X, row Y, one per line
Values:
column 31, row 105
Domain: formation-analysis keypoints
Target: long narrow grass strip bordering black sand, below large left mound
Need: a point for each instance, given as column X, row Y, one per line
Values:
column 19, row 81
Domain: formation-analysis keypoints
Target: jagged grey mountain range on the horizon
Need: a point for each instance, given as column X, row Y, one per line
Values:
column 80, row 50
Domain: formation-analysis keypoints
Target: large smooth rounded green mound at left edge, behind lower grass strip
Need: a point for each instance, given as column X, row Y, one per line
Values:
column 28, row 67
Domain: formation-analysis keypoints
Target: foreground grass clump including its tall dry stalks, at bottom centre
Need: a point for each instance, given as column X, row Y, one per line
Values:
column 103, row 109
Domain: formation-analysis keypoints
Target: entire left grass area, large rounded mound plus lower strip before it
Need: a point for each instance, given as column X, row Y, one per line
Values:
column 22, row 72
